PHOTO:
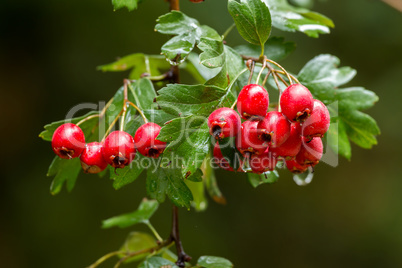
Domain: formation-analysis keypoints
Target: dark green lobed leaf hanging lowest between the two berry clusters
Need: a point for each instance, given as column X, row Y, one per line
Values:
column 168, row 181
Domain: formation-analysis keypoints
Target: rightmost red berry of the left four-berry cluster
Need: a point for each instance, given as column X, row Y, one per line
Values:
column 146, row 142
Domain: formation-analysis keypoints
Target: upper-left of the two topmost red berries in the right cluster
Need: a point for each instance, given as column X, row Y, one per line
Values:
column 253, row 101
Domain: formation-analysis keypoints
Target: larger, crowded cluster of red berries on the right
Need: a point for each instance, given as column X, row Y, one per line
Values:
column 292, row 134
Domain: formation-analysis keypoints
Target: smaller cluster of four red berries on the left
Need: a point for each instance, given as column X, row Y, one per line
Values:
column 118, row 149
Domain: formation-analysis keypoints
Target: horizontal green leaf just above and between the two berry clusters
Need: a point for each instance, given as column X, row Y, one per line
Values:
column 184, row 100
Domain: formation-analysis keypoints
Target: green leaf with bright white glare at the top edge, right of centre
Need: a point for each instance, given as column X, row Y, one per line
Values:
column 290, row 18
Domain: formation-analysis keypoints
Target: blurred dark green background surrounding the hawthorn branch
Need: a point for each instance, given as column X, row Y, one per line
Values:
column 350, row 216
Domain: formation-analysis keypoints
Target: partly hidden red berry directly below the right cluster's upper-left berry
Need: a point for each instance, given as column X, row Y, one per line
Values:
column 247, row 141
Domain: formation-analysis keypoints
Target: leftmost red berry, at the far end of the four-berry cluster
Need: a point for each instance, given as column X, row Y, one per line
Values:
column 68, row 141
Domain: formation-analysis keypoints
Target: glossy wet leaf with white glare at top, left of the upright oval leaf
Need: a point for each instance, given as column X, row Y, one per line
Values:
column 186, row 31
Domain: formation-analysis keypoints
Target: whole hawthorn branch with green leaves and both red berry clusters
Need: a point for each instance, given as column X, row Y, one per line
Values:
column 156, row 125
